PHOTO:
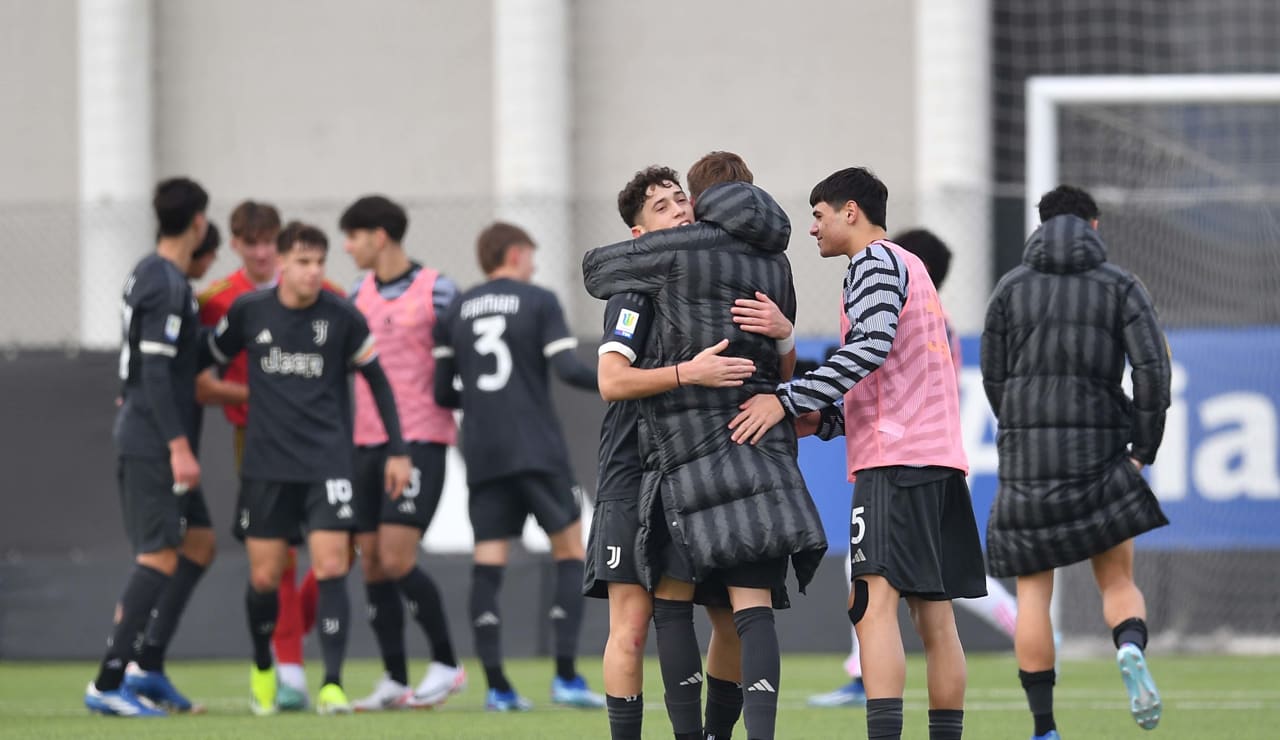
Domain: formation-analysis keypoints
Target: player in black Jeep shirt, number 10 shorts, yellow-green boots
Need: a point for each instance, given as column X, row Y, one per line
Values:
column 303, row 344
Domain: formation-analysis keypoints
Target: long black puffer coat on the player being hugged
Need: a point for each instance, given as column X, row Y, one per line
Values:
column 724, row 504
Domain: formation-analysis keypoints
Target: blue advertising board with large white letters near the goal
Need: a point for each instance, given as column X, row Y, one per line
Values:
column 1218, row 476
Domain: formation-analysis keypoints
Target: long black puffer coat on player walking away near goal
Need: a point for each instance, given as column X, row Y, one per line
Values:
column 1059, row 328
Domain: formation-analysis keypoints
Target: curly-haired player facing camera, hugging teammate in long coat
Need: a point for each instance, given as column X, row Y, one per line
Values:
column 652, row 202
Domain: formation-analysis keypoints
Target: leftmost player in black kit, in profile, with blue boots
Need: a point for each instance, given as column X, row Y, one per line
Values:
column 154, row 431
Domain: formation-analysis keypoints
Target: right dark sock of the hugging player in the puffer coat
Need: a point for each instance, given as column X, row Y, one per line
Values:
column 762, row 669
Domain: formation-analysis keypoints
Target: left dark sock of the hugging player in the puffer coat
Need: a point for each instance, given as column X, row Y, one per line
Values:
column 682, row 663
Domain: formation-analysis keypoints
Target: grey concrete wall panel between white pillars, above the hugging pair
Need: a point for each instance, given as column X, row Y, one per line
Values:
column 798, row 89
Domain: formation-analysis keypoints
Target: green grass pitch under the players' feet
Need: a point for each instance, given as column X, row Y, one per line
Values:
column 1205, row 698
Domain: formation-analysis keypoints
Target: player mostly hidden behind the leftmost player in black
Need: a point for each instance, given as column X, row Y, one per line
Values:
column 147, row 677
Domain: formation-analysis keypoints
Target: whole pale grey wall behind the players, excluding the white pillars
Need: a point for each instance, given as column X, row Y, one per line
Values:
column 314, row 104
